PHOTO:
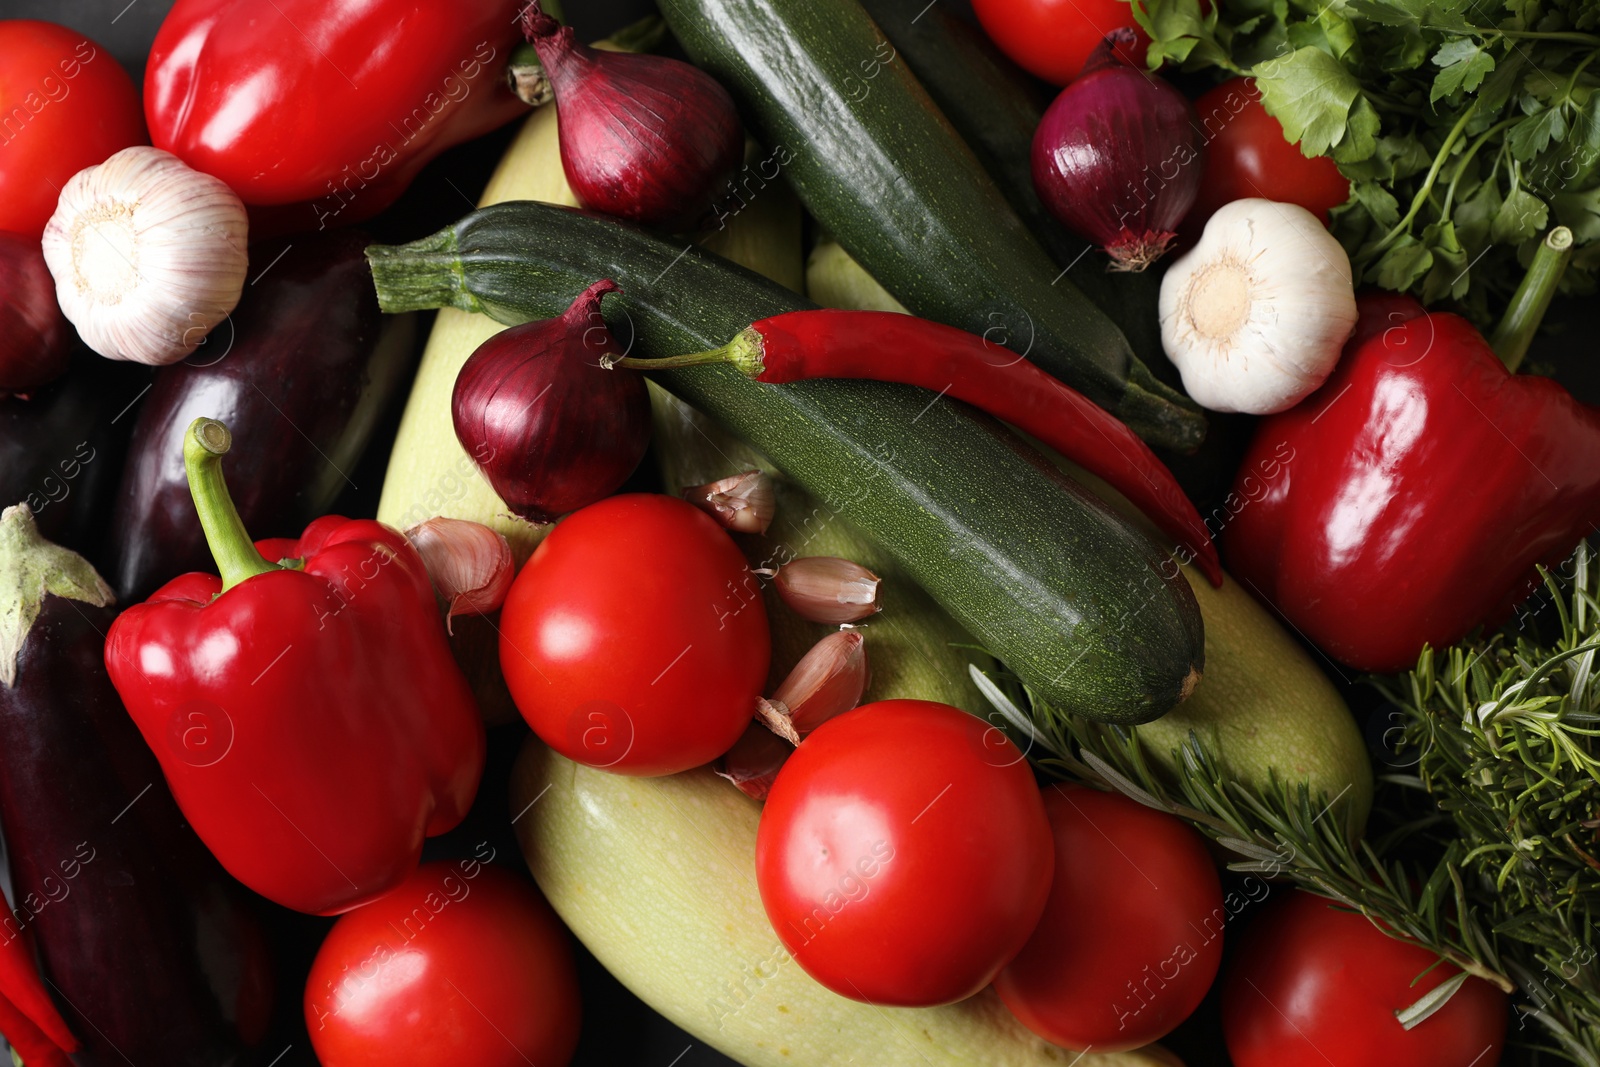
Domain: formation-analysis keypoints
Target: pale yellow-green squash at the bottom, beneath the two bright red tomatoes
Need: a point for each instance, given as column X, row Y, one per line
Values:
column 657, row 877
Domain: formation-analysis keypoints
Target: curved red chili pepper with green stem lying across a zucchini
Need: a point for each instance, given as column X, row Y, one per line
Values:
column 894, row 348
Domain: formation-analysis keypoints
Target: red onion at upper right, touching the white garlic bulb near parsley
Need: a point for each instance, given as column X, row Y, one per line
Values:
column 1119, row 158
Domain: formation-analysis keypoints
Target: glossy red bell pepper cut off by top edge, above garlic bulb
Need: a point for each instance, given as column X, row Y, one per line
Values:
column 326, row 111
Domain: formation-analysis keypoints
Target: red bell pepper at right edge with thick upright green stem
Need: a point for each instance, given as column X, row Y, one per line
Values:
column 1423, row 486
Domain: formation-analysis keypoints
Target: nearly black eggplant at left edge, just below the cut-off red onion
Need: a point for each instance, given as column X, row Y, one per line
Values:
column 62, row 449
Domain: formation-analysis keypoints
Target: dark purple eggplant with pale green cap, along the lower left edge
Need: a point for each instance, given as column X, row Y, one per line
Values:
column 148, row 946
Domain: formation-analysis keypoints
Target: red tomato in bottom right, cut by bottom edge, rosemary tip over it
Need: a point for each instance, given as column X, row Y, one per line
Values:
column 1314, row 985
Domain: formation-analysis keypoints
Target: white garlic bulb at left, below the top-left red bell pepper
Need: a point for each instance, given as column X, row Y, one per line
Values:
column 148, row 255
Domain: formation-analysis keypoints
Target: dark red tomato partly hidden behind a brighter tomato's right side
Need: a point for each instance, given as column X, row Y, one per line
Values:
column 1134, row 932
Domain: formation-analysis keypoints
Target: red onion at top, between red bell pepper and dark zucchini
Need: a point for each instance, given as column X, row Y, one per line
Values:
column 644, row 138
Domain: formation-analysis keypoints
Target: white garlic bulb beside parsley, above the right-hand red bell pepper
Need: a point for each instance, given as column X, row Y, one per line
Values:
column 1257, row 314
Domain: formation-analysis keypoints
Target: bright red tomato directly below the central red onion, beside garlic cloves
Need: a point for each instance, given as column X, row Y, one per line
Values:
column 636, row 639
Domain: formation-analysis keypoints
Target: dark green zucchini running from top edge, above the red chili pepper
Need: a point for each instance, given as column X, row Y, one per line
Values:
column 887, row 175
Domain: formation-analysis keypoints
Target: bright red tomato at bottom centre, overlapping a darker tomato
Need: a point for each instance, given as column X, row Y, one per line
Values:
column 905, row 855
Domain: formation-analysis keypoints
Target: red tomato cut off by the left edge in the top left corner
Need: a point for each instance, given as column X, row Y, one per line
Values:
column 65, row 105
